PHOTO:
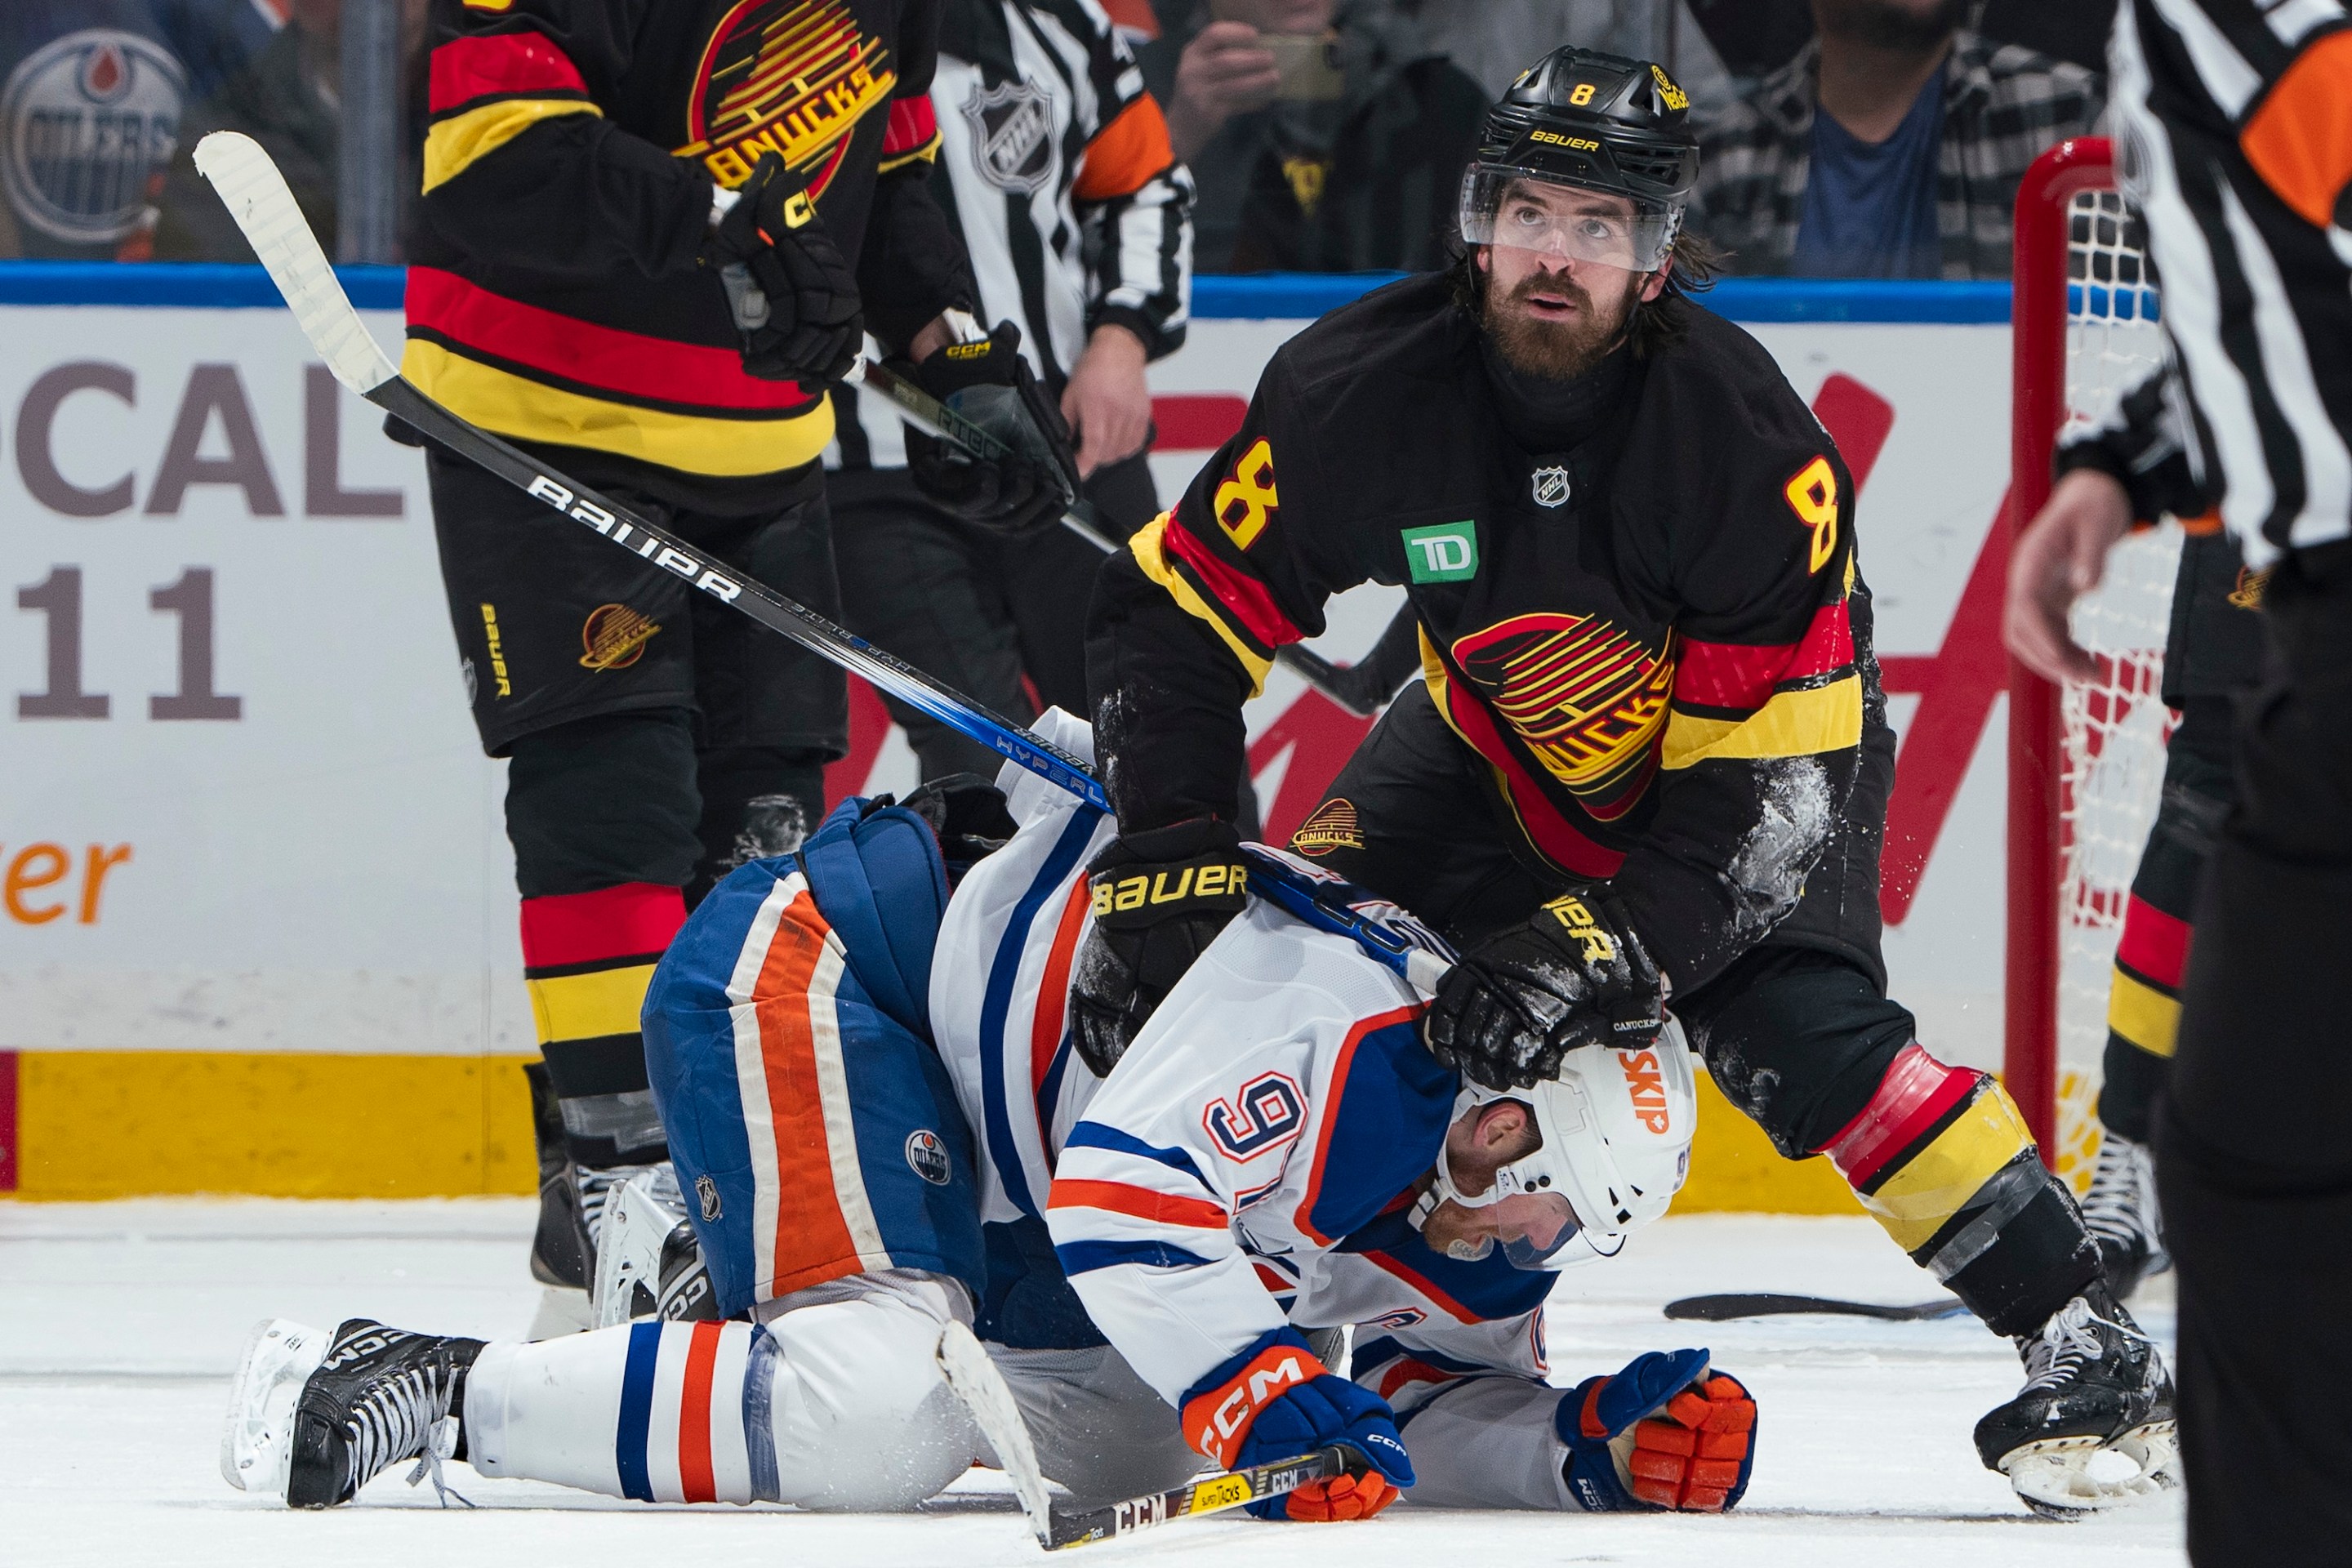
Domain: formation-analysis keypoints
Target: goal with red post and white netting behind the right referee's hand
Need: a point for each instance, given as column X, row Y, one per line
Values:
column 2109, row 744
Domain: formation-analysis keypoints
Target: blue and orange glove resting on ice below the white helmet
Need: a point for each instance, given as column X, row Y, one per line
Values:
column 1662, row 1435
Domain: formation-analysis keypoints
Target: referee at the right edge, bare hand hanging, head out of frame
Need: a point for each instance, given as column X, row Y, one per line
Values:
column 2236, row 121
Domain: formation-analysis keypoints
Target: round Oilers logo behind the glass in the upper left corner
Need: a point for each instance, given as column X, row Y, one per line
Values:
column 88, row 121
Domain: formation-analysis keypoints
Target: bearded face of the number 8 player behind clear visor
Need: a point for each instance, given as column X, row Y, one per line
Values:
column 1561, row 286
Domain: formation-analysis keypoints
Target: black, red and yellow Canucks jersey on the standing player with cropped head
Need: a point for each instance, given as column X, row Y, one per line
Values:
column 570, row 163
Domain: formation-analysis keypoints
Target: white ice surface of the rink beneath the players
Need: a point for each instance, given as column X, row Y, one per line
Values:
column 121, row 1322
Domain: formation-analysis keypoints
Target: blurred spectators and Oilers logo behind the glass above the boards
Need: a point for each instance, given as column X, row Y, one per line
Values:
column 1843, row 138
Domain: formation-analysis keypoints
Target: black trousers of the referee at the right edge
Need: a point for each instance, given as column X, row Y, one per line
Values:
column 2254, row 1141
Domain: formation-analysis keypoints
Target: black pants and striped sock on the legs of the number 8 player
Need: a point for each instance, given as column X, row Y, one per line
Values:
column 1798, row 1033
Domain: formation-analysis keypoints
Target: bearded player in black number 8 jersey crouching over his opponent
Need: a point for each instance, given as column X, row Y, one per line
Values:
column 1650, row 758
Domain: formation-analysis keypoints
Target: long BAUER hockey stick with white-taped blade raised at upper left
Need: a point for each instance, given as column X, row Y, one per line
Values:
column 265, row 210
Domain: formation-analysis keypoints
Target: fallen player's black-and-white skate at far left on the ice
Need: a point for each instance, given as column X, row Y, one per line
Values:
column 314, row 1416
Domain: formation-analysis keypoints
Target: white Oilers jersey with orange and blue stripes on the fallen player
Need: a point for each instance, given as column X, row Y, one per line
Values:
column 1248, row 1167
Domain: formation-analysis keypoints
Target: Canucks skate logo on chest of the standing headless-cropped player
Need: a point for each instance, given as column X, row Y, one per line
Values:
column 791, row 79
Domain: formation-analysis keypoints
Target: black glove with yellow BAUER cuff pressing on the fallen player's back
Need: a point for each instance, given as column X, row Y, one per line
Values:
column 1158, row 902
